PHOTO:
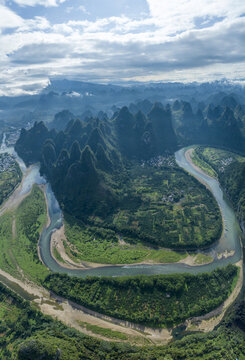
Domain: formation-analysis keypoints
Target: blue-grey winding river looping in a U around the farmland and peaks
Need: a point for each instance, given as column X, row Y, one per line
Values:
column 230, row 241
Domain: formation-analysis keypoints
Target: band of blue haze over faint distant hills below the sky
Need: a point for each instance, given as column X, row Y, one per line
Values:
column 86, row 99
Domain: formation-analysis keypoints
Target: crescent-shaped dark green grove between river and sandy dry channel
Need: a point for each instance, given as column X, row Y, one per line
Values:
column 163, row 300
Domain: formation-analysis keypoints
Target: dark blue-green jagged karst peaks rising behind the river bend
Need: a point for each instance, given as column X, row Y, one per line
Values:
column 82, row 158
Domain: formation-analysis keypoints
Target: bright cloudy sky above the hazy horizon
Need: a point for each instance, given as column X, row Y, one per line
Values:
column 119, row 41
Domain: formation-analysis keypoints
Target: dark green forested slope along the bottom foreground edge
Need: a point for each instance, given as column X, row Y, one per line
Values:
column 26, row 334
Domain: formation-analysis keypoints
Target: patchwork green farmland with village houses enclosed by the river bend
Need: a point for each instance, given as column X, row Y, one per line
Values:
column 174, row 209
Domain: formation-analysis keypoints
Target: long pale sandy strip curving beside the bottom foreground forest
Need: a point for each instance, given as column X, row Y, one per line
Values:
column 74, row 315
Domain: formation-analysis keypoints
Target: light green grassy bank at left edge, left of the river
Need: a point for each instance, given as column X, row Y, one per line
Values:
column 19, row 235
